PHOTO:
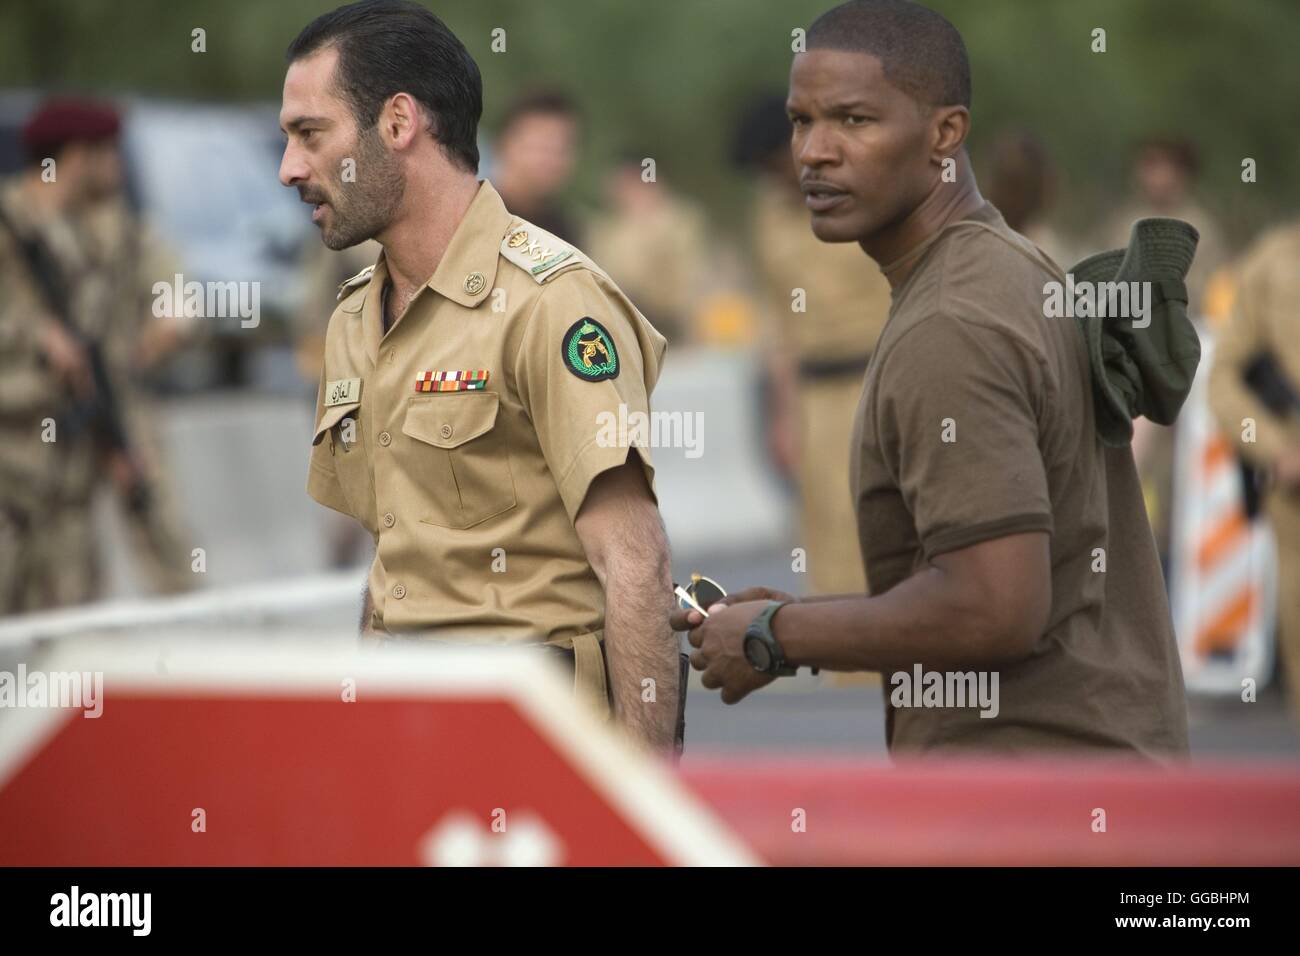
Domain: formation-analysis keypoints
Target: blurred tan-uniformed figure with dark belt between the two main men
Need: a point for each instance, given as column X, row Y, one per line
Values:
column 818, row 343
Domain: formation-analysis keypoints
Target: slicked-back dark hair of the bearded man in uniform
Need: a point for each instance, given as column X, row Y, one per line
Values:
column 387, row 47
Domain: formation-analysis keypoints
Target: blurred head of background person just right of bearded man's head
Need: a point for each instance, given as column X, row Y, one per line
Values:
column 535, row 157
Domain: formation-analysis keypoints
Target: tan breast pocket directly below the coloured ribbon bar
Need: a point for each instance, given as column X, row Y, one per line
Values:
column 458, row 458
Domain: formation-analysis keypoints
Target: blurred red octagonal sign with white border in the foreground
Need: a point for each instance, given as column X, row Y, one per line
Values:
column 246, row 754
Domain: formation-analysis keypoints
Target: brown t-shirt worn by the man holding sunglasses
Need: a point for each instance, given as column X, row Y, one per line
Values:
column 977, row 422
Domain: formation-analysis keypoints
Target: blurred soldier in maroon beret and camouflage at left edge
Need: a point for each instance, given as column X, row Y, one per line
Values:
column 51, row 406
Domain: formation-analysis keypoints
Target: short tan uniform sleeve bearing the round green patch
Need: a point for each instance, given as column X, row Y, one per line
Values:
column 586, row 369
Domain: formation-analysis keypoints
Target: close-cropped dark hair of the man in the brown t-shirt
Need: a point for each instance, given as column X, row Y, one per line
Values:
column 922, row 53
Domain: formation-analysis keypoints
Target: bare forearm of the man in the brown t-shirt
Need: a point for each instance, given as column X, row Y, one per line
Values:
column 922, row 620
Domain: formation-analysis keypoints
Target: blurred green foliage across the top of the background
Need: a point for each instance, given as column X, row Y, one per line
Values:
column 669, row 77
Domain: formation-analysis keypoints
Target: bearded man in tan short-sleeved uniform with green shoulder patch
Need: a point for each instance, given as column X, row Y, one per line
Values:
column 470, row 380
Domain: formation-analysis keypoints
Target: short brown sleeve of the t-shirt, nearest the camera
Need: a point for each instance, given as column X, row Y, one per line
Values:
column 957, row 414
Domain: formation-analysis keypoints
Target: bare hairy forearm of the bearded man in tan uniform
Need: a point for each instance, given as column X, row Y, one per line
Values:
column 640, row 647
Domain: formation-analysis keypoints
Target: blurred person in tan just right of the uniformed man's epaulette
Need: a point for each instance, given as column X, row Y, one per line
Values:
column 656, row 246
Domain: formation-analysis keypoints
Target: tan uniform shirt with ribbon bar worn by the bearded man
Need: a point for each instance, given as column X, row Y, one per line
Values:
column 473, row 494
